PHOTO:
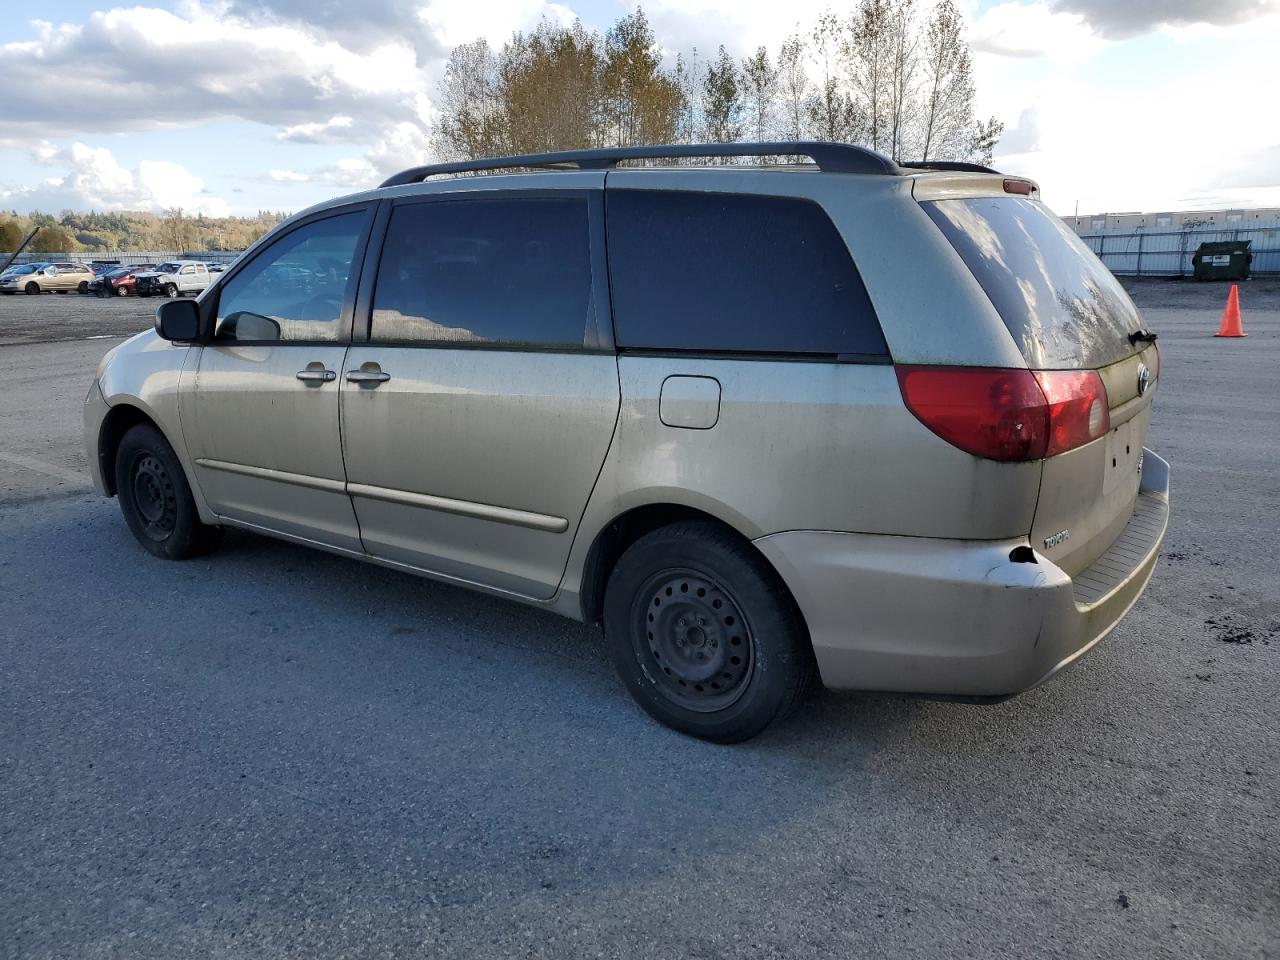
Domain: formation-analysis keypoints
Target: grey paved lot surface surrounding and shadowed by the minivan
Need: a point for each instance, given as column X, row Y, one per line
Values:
column 277, row 753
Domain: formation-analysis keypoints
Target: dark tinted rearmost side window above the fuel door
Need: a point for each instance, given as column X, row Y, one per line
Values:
column 720, row 273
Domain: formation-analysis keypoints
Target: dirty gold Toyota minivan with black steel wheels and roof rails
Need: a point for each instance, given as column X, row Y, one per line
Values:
column 879, row 422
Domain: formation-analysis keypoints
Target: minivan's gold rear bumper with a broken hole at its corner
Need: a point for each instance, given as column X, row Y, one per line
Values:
column 961, row 618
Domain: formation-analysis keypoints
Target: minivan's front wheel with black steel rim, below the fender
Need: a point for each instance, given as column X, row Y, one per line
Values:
column 156, row 497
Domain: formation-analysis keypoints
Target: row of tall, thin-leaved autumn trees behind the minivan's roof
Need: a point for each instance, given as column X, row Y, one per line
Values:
column 892, row 75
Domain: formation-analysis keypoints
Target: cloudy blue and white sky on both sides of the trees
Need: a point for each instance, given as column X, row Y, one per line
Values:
column 240, row 106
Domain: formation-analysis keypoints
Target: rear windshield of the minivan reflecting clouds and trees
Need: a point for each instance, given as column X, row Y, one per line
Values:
column 1062, row 305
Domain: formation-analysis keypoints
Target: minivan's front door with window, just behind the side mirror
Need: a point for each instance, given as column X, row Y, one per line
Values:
column 262, row 414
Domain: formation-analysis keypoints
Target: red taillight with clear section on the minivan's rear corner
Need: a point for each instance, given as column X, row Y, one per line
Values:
column 1008, row 415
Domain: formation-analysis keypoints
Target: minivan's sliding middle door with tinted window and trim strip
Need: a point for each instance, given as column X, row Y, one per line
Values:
column 478, row 414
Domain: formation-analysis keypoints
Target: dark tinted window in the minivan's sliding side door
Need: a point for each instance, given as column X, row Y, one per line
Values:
column 511, row 272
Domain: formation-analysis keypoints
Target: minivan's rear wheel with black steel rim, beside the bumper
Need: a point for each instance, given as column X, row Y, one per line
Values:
column 705, row 636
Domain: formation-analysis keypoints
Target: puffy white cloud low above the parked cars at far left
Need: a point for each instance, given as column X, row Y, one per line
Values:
column 97, row 180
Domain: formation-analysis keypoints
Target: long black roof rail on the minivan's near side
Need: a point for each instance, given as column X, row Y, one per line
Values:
column 830, row 158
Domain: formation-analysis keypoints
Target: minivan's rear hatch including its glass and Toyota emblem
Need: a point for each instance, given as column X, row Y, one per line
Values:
column 1067, row 313
